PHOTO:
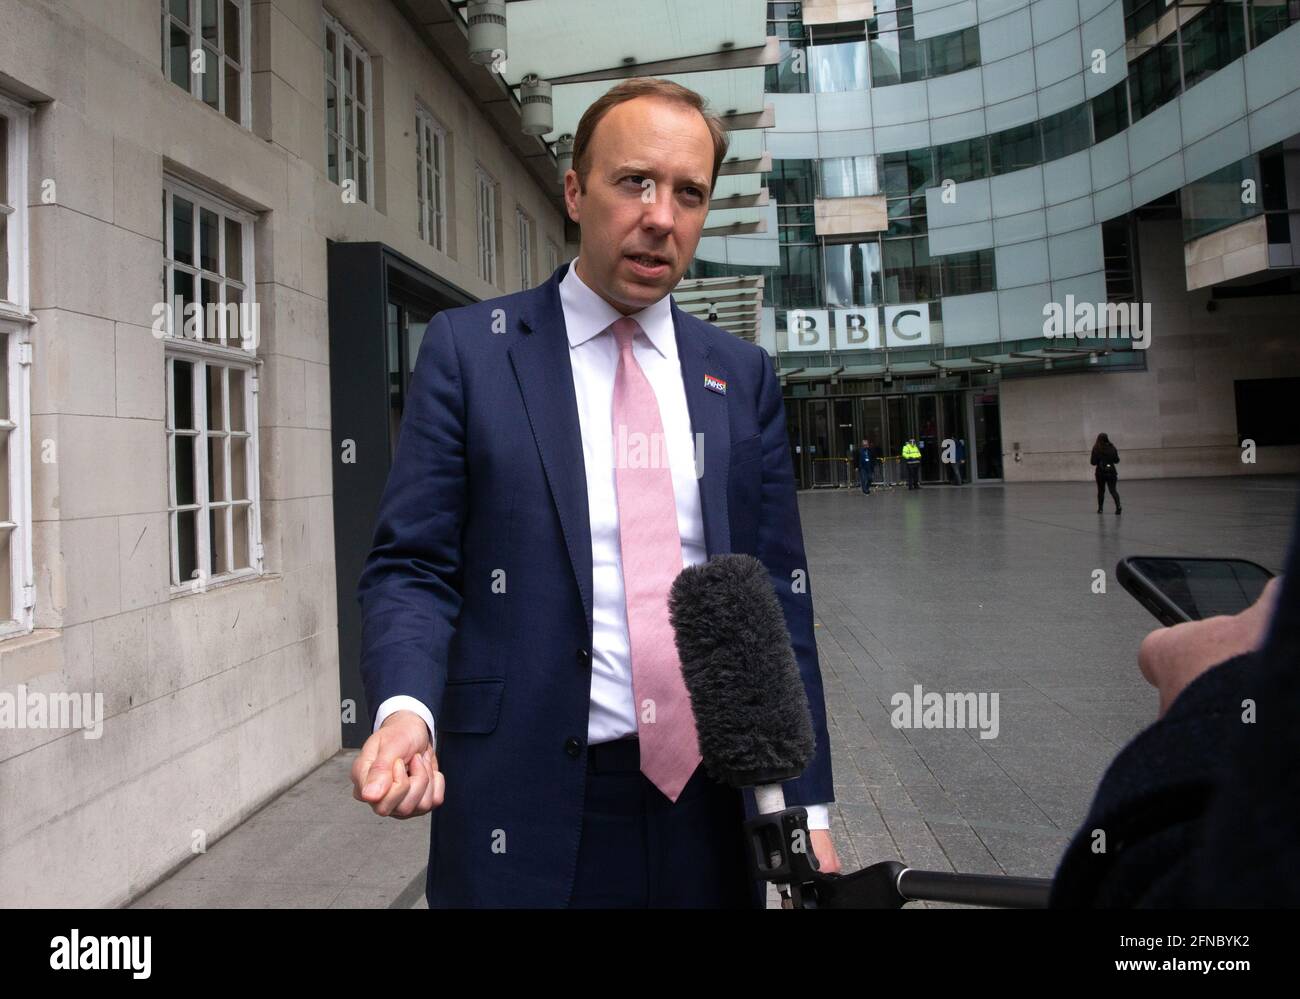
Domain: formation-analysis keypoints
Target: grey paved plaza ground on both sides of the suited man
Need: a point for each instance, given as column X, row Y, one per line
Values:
column 973, row 590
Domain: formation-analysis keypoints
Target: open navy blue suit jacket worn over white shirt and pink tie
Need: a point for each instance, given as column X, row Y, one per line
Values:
column 478, row 593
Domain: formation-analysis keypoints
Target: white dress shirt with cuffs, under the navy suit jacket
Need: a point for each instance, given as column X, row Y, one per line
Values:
column 595, row 356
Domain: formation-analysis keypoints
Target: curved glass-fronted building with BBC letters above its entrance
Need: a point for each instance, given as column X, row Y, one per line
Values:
column 1021, row 224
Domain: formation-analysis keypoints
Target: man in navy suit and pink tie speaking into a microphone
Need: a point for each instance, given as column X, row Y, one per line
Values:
column 502, row 622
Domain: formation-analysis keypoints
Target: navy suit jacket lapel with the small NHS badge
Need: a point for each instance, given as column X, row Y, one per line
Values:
column 710, row 426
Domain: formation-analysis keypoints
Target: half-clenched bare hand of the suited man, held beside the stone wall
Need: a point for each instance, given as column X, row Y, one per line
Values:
column 397, row 772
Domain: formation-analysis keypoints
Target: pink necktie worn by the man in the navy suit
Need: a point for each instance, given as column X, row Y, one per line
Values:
column 652, row 560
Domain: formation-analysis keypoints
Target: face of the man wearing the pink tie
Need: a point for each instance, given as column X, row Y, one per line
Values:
column 648, row 188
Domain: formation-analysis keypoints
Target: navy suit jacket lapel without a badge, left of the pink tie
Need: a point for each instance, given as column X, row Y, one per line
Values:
column 545, row 374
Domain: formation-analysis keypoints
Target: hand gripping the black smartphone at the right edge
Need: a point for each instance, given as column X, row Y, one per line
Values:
column 1173, row 658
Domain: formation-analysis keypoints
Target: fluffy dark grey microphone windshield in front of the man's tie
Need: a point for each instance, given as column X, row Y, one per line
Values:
column 752, row 713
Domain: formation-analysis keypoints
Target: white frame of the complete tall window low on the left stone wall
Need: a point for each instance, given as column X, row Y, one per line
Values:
column 202, row 354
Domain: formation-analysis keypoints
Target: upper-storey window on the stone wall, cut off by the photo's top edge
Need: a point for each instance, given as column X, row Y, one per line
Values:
column 206, row 53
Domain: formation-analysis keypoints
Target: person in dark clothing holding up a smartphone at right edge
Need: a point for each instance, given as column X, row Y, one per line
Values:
column 1203, row 808
